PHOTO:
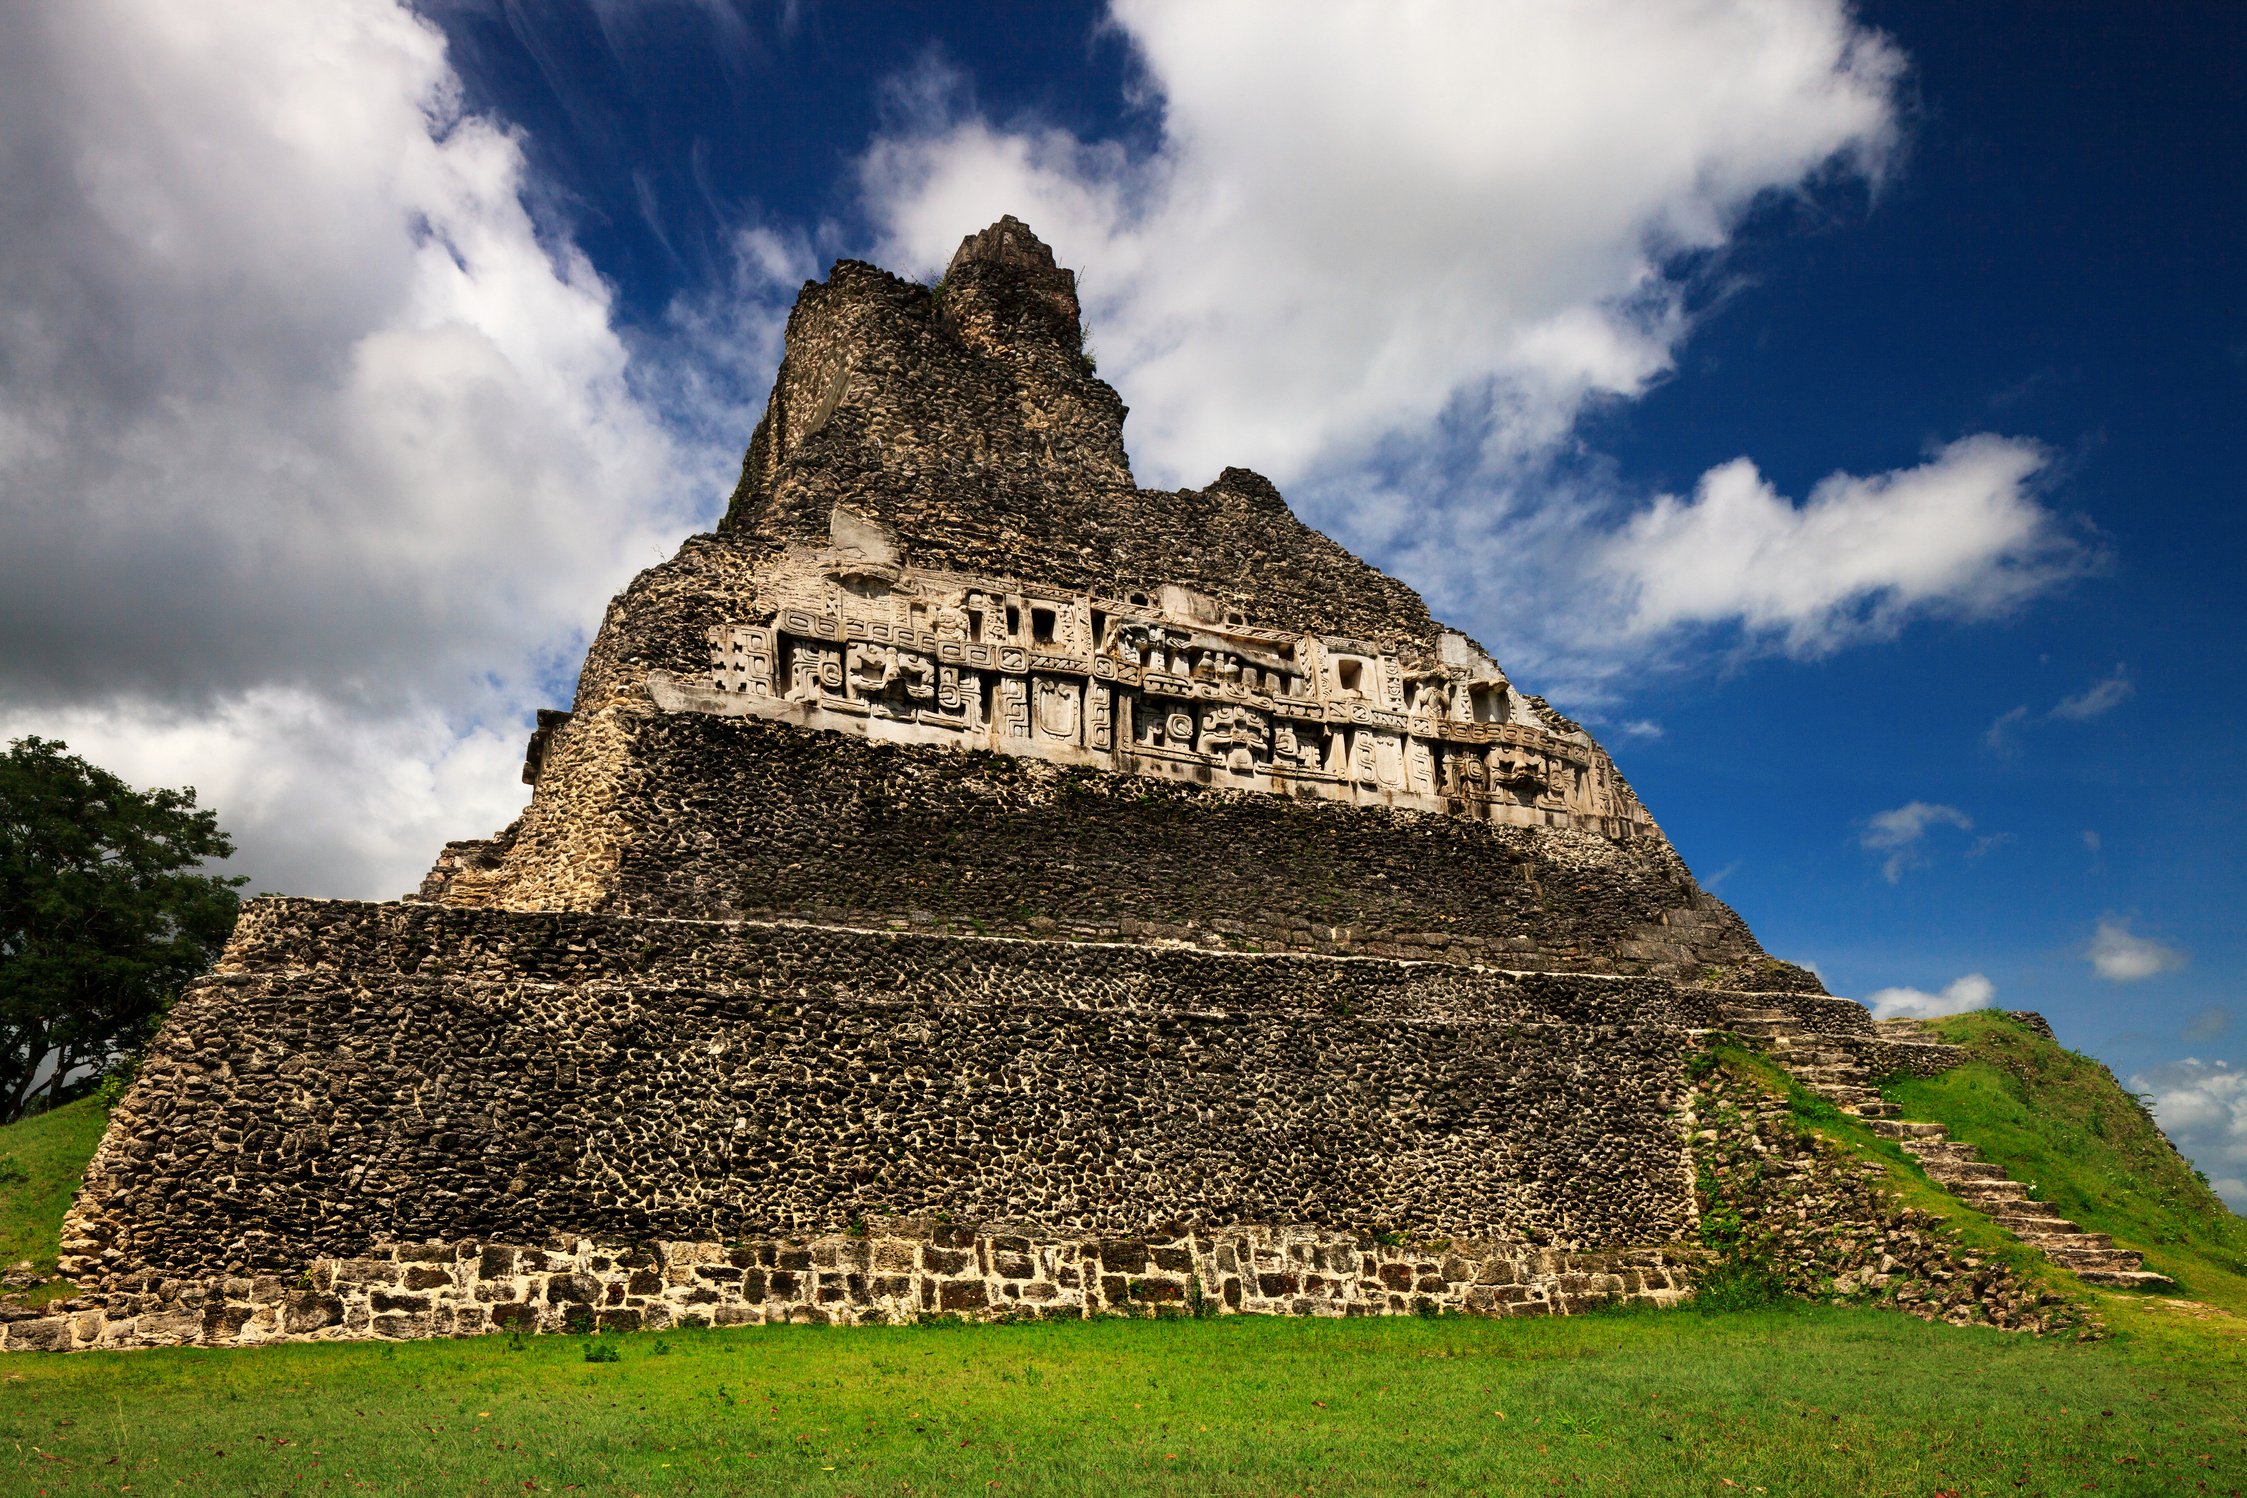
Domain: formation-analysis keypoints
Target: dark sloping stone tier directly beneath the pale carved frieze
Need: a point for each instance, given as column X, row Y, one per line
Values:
column 720, row 819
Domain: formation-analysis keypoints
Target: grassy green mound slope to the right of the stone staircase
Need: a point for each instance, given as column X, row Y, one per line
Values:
column 2062, row 1126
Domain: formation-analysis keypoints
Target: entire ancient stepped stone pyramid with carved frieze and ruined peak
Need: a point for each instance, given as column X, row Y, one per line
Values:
column 967, row 884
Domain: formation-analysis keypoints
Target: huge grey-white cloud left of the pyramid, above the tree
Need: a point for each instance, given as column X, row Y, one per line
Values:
column 318, row 455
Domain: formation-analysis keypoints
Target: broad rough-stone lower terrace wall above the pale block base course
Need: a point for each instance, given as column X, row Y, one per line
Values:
column 365, row 1075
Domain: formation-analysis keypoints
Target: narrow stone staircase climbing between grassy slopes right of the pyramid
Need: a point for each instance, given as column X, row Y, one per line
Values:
column 1839, row 1077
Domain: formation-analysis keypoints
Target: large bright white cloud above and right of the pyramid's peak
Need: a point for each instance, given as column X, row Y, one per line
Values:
column 1363, row 212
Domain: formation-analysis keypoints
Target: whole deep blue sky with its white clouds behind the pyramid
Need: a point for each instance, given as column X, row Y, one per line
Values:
column 1839, row 408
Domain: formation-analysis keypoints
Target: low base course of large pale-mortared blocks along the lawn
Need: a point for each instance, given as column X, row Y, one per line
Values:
column 891, row 1272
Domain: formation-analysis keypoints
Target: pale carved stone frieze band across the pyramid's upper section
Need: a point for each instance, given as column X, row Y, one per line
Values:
column 1167, row 684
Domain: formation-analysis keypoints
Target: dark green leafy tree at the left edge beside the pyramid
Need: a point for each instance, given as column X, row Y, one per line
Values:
column 107, row 911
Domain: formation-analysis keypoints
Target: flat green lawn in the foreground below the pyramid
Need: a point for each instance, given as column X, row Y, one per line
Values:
column 1799, row 1400
